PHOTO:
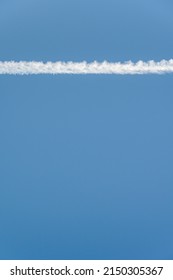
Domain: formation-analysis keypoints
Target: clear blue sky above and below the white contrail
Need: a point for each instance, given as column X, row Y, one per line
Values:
column 86, row 162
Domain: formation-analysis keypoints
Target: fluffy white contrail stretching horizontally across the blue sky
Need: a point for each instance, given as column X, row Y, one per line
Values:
column 34, row 67
